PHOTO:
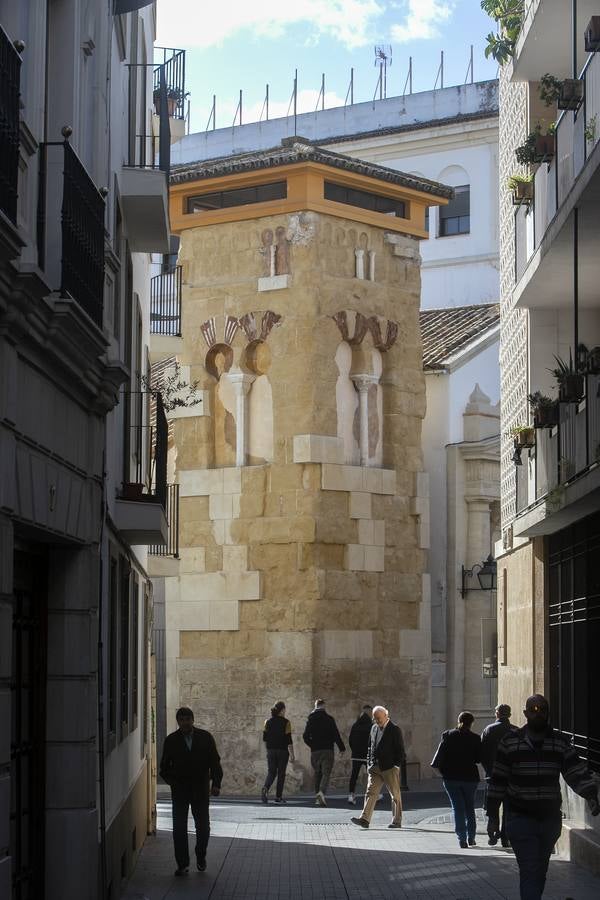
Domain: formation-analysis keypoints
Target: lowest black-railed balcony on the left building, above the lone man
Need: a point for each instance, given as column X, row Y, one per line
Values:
column 140, row 511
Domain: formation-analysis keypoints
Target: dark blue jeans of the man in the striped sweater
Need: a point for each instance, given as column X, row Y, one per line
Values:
column 532, row 840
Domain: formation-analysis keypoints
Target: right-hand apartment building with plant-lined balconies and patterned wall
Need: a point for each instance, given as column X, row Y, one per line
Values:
column 548, row 607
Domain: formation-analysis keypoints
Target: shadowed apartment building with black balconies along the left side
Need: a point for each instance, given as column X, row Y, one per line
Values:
column 87, row 116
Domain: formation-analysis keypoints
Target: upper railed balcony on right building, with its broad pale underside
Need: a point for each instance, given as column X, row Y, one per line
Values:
column 544, row 232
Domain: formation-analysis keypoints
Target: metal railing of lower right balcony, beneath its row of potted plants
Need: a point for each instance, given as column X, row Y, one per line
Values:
column 565, row 451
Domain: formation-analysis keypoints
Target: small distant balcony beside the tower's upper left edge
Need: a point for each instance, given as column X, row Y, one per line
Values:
column 165, row 315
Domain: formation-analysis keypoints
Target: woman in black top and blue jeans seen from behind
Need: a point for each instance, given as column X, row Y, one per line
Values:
column 456, row 758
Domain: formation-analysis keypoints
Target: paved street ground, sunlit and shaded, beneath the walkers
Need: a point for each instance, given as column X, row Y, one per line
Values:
column 297, row 852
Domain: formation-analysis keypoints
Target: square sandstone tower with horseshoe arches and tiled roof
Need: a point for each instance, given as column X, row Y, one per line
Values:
column 303, row 507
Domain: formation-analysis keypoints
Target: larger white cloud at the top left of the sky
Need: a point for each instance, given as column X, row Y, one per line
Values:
column 194, row 23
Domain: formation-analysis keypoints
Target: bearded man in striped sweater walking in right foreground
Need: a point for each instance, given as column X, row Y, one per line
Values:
column 525, row 777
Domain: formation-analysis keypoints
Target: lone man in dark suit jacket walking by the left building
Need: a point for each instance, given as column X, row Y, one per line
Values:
column 189, row 764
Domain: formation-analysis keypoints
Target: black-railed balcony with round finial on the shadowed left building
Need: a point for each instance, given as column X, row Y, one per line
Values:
column 71, row 229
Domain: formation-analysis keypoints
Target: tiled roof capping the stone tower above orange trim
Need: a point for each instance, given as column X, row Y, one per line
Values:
column 299, row 150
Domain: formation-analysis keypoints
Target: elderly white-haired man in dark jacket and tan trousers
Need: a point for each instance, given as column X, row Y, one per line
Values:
column 385, row 754
